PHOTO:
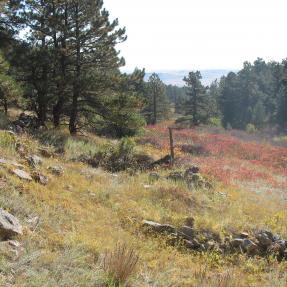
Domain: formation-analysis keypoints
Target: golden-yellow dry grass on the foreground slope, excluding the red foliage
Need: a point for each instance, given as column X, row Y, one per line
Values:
column 87, row 211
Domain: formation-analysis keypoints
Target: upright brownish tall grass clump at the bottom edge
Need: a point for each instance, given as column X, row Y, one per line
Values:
column 119, row 265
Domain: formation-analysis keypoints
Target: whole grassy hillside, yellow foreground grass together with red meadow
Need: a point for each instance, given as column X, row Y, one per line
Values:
column 70, row 223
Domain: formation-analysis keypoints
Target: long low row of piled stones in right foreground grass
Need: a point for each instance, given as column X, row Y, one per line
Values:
column 261, row 242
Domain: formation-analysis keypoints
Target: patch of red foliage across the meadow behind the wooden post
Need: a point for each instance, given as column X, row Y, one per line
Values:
column 228, row 158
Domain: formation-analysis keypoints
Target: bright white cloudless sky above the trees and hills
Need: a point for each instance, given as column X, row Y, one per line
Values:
column 200, row 34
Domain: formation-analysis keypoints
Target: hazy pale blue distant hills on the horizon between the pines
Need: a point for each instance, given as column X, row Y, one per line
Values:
column 175, row 77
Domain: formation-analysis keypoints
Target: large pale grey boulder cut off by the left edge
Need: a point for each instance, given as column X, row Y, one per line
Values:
column 9, row 225
